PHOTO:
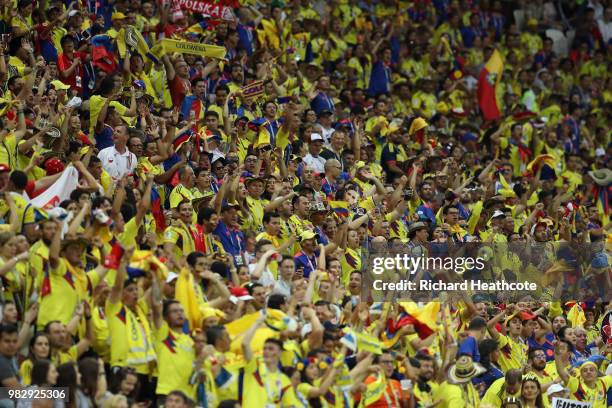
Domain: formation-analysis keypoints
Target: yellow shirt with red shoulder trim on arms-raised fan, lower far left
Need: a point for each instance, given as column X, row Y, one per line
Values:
column 62, row 289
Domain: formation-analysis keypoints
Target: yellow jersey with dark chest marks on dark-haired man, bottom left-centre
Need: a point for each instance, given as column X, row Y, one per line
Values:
column 175, row 354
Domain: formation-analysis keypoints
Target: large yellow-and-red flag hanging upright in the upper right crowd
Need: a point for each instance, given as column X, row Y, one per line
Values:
column 488, row 82
